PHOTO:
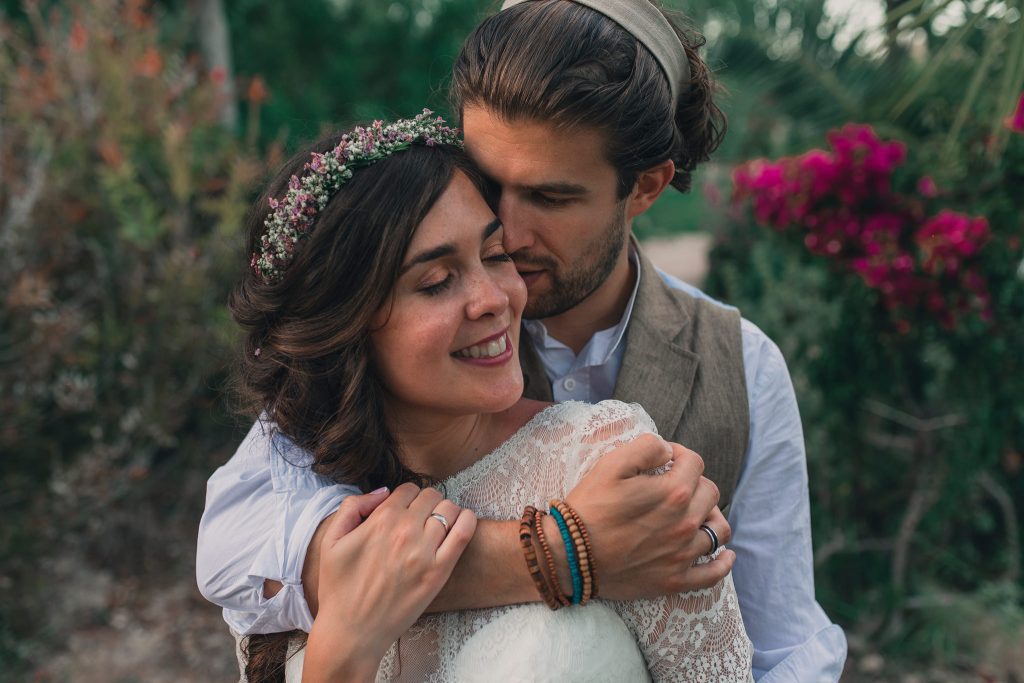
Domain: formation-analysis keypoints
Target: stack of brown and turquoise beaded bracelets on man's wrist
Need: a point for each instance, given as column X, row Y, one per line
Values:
column 578, row 550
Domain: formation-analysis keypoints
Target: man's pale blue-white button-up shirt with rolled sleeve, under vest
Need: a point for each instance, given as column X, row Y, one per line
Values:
column 264, row 506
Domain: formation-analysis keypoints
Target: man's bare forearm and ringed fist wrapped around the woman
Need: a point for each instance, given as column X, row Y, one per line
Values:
column 646, row 531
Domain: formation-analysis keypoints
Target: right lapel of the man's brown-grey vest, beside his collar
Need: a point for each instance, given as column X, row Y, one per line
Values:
column 657, row 361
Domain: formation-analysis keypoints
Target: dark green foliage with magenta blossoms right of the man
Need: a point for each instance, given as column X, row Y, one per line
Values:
column 908, row 372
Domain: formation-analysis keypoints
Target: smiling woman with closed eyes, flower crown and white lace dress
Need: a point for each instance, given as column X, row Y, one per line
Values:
column 382, row 322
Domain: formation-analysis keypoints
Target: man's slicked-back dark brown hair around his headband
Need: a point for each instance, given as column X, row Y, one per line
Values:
column 559, row 62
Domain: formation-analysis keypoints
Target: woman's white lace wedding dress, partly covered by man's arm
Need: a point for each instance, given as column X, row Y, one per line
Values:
column 696, row 636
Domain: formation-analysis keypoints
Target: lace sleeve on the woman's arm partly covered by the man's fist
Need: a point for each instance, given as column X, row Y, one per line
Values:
column 695, row 636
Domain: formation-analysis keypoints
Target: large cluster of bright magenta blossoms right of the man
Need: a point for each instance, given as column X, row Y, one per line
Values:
column 842, row 202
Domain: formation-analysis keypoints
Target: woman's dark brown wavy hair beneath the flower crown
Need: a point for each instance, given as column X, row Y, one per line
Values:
column 306, row 360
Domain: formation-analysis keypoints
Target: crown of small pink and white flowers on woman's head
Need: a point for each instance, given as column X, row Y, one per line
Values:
column 292, row 218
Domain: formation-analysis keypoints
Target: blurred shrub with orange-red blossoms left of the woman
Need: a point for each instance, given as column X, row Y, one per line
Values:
column 119, row 221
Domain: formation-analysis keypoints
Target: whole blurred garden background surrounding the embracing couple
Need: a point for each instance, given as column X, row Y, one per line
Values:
column 865, row 210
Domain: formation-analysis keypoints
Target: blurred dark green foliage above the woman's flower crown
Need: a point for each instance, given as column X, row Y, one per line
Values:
column 350, row 62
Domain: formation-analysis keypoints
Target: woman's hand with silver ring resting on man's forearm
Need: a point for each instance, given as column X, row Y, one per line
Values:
column 377, row 577
